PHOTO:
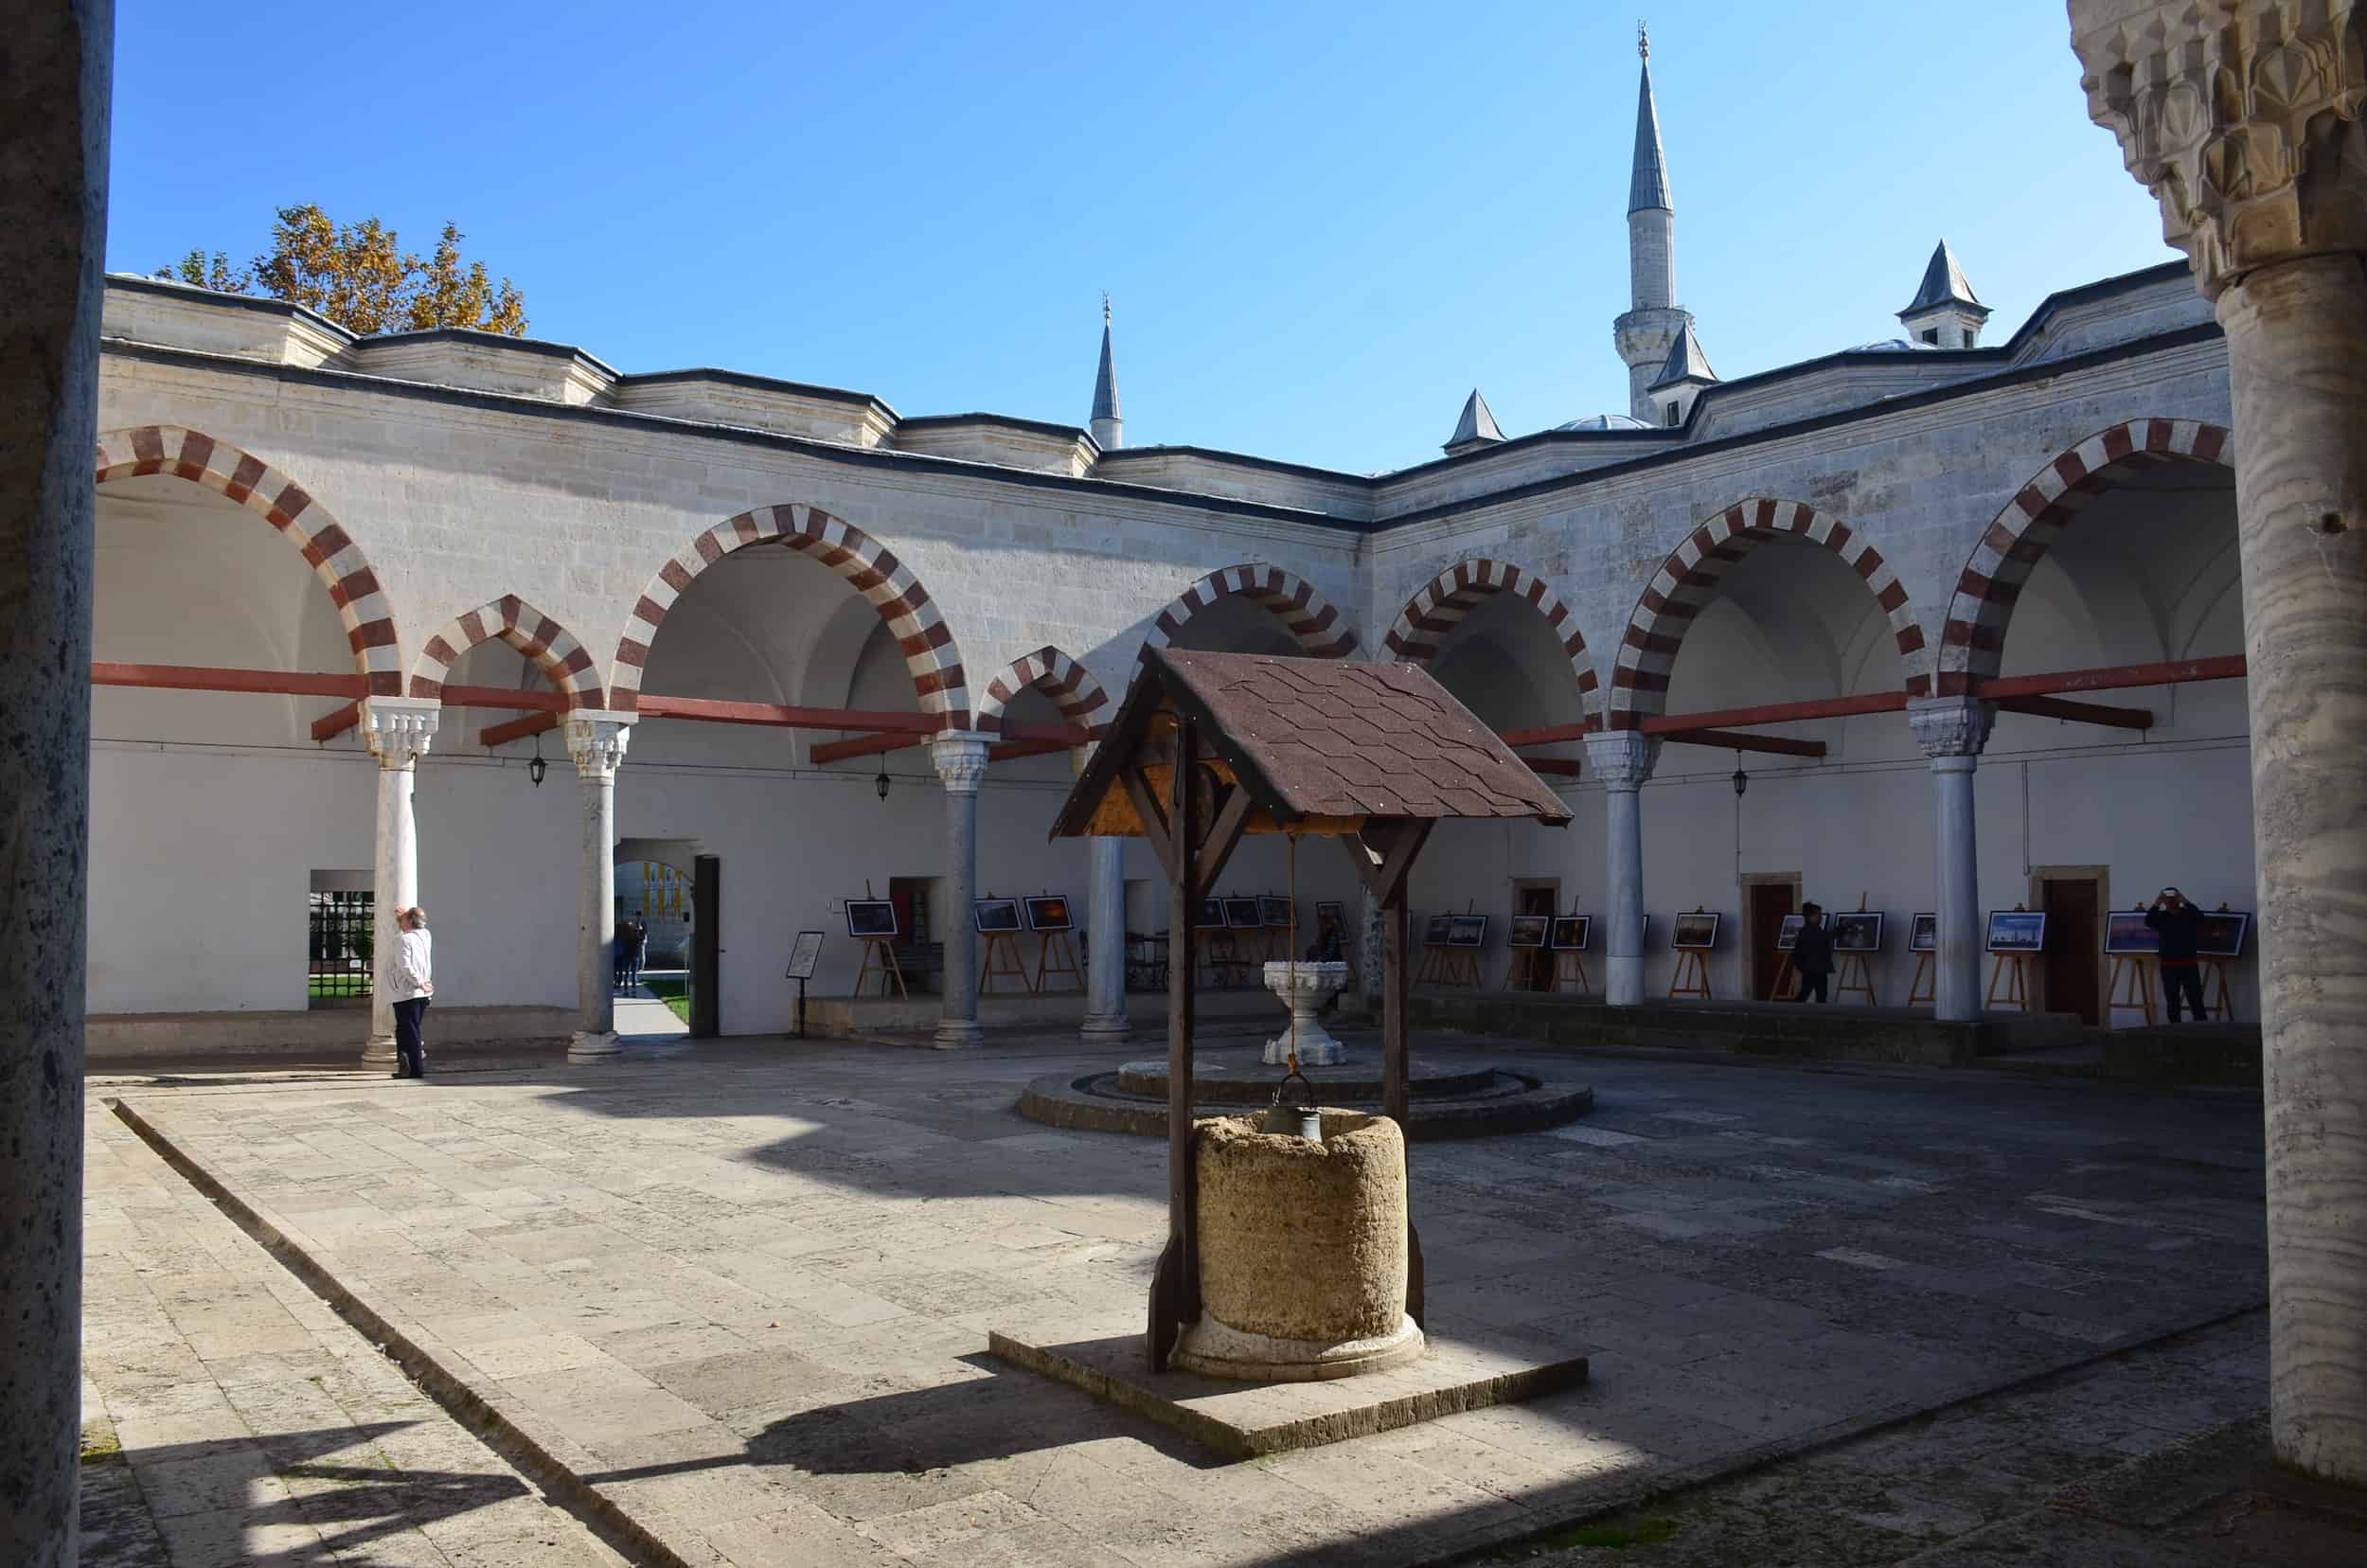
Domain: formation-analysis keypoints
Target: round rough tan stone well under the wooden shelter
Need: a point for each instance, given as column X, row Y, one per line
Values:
column 1303, row 1252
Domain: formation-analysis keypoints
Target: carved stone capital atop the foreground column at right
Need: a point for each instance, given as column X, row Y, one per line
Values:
column 2243, row 117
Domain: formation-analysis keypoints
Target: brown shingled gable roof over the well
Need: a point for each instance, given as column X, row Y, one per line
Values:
column 1317, row 743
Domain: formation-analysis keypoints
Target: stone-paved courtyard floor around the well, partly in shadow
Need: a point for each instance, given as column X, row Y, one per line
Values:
column 744, row 1290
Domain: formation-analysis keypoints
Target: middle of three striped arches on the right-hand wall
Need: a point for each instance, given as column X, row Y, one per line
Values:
column 1689, row 579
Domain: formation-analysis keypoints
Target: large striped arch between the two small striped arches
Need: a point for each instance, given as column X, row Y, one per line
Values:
column 858, row 558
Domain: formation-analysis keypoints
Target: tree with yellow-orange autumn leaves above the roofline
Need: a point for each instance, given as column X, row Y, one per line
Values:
column 361, row 278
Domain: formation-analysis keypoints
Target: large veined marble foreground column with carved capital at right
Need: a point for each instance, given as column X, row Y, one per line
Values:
column 2245, row 122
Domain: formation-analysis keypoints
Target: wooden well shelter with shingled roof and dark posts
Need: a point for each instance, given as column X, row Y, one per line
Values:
column 1211, row 747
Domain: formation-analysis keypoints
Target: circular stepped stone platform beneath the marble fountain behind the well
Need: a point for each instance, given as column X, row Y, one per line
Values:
column 1447, row 1100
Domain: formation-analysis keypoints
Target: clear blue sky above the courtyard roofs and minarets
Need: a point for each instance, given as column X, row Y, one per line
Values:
column 1322, row 224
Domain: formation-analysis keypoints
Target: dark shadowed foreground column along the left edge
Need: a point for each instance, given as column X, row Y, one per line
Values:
column 53, row 120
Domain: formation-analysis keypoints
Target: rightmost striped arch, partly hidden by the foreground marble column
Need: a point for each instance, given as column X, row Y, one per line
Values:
column 1973, row 641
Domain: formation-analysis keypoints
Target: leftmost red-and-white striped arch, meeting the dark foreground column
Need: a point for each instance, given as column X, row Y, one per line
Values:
column 285, row 506
